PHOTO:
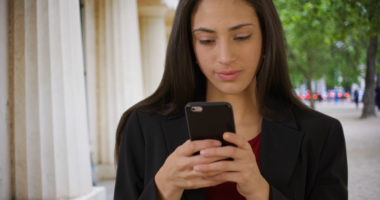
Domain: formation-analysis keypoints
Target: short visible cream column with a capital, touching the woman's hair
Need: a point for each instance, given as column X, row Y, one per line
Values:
column 153, row 40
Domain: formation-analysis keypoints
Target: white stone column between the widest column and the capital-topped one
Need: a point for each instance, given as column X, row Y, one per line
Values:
column 113, row 63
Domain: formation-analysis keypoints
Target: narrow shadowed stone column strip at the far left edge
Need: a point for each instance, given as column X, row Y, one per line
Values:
column 5, row 180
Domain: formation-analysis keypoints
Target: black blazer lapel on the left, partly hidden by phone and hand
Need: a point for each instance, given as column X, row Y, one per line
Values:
column 176, row 133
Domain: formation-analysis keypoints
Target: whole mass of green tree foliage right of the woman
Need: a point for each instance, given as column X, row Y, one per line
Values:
column 329, row 39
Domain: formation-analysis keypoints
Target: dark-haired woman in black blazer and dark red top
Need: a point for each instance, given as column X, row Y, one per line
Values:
column 232, row 51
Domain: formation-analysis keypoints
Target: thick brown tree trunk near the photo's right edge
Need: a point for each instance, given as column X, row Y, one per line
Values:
column 369, row 98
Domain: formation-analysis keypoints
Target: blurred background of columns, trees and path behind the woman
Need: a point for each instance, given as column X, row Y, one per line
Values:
column 70, row 68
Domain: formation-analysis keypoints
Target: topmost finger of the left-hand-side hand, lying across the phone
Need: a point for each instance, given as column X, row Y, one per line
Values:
column 191, row 147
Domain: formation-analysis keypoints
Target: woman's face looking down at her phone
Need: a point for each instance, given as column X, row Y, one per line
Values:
column 227, row 42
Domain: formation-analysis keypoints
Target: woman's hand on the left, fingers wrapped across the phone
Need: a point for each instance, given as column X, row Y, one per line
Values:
column 177, row 173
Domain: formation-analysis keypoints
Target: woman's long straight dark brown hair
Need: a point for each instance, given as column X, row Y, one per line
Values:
column 183, row 81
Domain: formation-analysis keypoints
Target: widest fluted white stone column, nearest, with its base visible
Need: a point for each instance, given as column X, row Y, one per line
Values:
column 52, row 157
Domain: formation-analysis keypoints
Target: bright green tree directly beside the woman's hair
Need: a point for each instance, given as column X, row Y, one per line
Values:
column 307, row 27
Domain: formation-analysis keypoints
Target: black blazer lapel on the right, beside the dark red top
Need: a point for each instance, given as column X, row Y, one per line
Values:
column 280, row 148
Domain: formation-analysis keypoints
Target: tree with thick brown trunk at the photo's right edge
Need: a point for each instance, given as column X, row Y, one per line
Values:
column 362, row 15
